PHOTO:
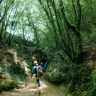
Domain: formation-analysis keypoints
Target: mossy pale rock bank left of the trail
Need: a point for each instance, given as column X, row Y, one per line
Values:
column 11, row 64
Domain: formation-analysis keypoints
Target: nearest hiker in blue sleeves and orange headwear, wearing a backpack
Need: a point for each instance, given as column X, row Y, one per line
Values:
column 35, row 72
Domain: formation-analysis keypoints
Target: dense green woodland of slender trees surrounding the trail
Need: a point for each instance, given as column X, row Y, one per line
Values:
column 61, row 32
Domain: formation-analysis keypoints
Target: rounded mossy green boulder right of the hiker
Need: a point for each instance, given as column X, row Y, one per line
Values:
column 54, row 77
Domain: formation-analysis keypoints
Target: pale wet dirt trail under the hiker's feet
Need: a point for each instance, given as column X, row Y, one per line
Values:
column 31, row 89
